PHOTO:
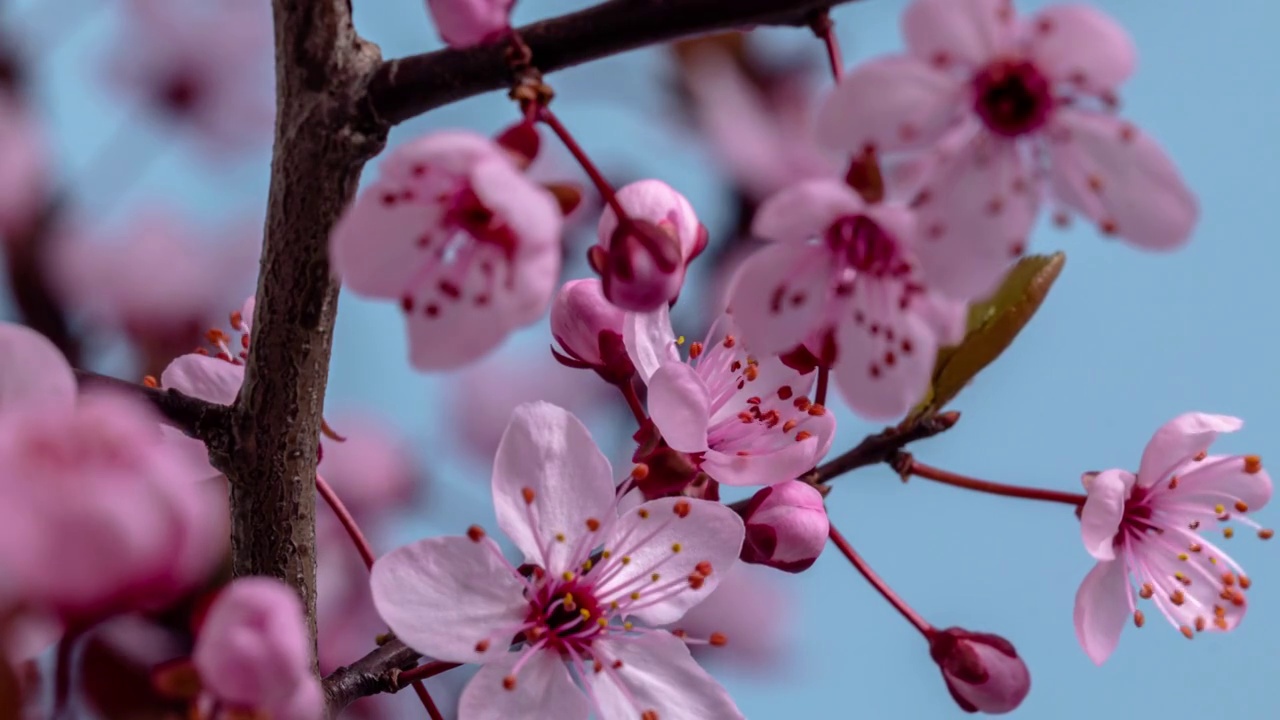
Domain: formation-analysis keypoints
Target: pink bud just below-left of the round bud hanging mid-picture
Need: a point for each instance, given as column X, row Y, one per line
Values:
column 589, row 330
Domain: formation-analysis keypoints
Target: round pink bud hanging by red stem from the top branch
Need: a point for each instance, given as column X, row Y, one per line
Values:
column 643, row 262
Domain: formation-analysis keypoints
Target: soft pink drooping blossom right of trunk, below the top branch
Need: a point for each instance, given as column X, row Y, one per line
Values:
column 454, row 233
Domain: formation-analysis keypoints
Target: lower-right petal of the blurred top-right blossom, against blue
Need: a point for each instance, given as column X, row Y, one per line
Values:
column 1119, row 177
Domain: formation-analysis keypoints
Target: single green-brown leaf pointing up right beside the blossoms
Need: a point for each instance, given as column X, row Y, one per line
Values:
column 993, row 327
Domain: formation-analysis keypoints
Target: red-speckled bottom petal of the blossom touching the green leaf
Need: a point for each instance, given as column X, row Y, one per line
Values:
column 881, row 380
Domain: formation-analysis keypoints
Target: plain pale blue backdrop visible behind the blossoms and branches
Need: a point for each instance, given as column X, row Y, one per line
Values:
column 1127, row 341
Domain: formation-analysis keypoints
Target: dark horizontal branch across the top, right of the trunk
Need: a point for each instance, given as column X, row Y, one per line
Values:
column 408, row 88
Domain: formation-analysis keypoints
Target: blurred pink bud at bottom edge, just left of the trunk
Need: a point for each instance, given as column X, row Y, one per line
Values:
column 253, row 651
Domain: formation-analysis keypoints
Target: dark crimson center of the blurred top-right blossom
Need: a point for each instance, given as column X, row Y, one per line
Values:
column 1012, row 97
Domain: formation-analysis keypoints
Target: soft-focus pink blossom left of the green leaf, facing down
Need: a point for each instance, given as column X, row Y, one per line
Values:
column 842, row 267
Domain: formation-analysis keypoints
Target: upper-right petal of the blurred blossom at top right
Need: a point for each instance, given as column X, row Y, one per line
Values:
column 1078, row 44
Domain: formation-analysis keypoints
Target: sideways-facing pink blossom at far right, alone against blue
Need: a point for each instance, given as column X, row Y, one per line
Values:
column 1148, row 531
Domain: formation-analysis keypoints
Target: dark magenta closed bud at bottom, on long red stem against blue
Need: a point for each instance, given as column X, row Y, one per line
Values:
column 982, row 671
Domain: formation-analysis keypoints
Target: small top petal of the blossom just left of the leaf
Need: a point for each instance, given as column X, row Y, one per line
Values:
column 806, row 211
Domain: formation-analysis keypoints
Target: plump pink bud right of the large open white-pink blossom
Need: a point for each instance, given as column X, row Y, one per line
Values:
column 787, row 527
